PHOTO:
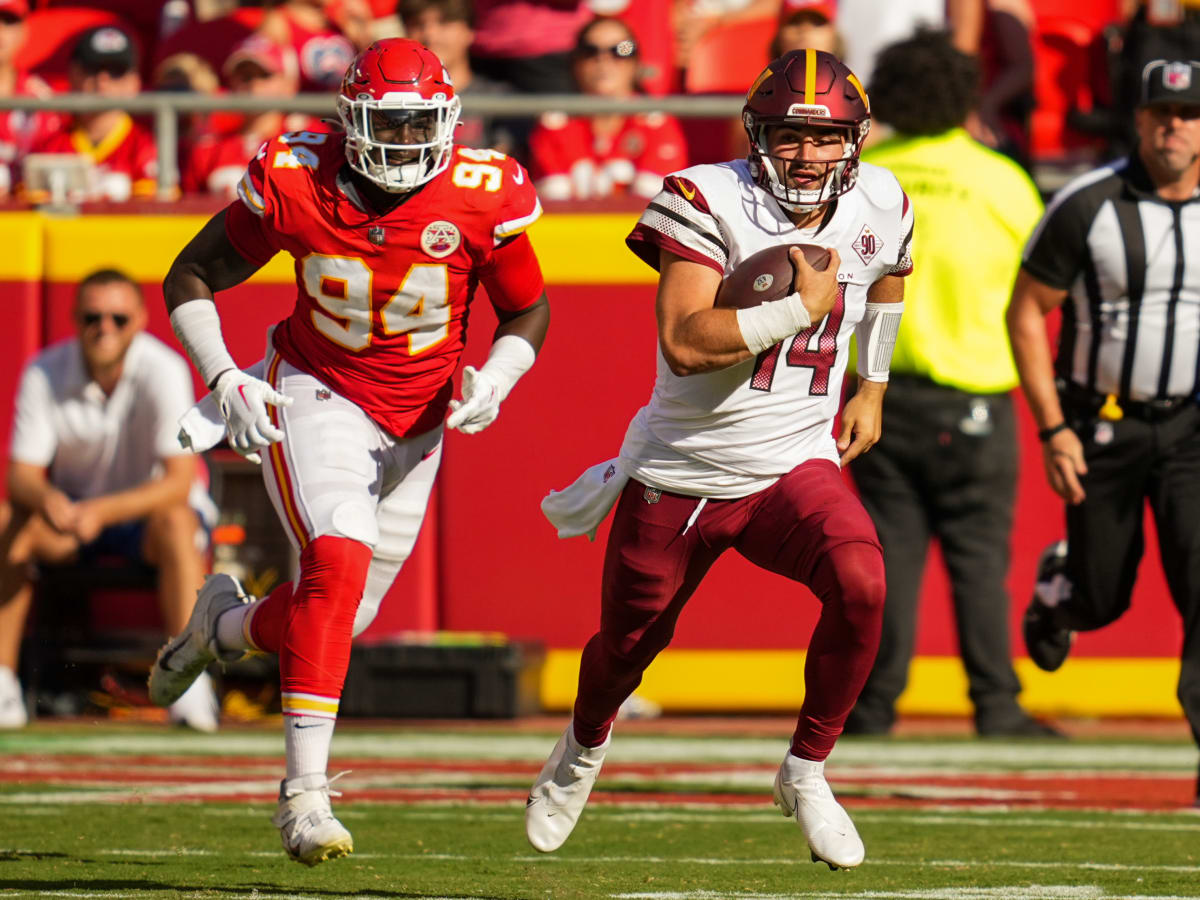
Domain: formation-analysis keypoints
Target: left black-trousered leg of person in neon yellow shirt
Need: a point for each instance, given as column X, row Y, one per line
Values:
column 889, row 482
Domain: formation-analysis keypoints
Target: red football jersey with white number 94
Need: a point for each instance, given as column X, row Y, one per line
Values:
column 382, row 302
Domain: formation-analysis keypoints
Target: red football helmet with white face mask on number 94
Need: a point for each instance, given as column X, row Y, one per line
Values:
column 400, row 111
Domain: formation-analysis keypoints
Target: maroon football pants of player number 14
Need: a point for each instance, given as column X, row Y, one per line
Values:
column 808, row 527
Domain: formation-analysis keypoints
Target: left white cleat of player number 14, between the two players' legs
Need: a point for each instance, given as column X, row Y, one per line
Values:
column 562, row 790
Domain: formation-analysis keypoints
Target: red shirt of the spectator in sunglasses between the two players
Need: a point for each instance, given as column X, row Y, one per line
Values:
column 571, row 161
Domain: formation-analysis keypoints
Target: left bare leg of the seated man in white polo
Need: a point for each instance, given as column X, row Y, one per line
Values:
column 25, row 538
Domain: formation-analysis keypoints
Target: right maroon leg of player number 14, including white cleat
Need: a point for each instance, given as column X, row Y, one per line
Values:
column 809, row 527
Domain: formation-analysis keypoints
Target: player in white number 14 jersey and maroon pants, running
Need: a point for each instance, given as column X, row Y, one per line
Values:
column 735, row 449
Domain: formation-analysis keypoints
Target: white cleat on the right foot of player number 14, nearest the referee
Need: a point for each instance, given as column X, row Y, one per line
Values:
column 802, row 793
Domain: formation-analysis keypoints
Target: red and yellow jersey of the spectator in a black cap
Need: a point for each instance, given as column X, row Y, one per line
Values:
column 127, row 160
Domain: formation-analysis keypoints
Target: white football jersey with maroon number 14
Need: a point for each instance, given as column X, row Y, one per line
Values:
column 736, row 431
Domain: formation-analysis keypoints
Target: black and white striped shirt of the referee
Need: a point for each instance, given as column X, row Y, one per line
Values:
column 1131, row 265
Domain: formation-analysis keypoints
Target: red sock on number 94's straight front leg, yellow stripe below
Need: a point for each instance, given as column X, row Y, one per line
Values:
column 315, row 650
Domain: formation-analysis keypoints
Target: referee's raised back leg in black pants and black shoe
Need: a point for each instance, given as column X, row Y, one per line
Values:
column 1093, row 585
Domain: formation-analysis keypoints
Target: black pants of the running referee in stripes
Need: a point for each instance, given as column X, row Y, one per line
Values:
column 1132, row 461
